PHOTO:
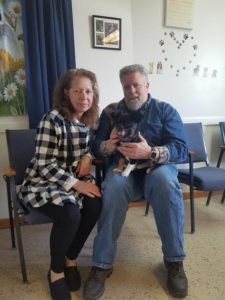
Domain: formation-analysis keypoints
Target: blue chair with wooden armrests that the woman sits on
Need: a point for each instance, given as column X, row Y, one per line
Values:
column 21, row 148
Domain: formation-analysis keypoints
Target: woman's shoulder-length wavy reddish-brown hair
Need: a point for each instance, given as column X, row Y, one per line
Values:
column 62, row 103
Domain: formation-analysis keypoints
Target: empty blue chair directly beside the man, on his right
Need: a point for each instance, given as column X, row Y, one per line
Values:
column 205, row 177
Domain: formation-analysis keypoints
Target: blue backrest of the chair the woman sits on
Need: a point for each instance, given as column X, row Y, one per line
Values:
column 21, row 148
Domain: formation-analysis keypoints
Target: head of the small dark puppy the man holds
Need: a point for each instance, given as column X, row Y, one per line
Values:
column 126, row 125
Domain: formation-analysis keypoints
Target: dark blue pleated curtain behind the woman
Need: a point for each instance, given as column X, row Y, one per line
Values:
column 49, row 51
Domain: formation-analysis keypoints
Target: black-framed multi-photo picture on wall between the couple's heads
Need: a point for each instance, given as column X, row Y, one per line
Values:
column 106, row 32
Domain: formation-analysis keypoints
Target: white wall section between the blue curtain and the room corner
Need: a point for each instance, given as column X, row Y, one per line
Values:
column 105, row 63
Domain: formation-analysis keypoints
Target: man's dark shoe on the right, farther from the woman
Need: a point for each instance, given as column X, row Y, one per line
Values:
column 177, row 283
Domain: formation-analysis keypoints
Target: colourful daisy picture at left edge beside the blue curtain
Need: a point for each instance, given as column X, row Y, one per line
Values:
column 12, row 73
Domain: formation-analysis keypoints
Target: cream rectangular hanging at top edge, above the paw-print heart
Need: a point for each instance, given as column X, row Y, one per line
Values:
column 179, row 13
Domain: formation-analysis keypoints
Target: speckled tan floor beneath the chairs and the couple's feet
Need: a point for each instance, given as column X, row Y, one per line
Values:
column 138, row 271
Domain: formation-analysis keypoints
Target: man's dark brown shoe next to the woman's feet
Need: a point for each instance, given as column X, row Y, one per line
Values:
column 94, row 286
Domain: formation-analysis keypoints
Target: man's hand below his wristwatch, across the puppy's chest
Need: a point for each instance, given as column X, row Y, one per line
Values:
column 140, row 150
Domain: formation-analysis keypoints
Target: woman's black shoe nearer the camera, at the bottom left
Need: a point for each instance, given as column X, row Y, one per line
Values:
column 58, row 289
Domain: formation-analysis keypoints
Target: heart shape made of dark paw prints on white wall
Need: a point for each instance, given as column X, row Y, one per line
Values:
column 179, row 52
